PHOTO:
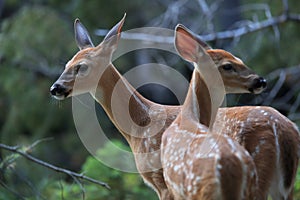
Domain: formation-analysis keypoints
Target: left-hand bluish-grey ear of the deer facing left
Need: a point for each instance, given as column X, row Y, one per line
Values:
column 82, row 36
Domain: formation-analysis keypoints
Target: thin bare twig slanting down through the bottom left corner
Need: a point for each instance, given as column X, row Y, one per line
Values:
column 15, row 149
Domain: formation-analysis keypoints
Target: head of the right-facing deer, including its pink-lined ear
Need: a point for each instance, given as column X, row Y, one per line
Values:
column 237, row 77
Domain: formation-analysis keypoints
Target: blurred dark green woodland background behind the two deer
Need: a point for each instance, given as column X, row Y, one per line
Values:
column 36, row 40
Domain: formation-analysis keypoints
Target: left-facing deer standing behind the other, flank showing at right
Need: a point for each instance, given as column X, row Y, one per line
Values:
column 264, row 141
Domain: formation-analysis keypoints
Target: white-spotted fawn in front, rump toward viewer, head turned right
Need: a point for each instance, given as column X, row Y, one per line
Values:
column 199, row 163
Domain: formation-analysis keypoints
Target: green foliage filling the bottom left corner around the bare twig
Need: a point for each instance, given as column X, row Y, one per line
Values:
column 56, row 186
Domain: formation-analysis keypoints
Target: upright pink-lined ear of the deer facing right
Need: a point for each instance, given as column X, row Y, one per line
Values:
column 188, row 44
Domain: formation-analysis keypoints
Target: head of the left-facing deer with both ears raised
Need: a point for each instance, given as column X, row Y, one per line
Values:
column 87, row 64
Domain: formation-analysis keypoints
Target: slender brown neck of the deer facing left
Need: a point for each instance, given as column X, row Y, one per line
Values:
column 121, row 102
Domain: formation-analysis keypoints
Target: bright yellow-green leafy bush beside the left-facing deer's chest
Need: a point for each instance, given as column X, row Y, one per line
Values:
column 123, row 185
